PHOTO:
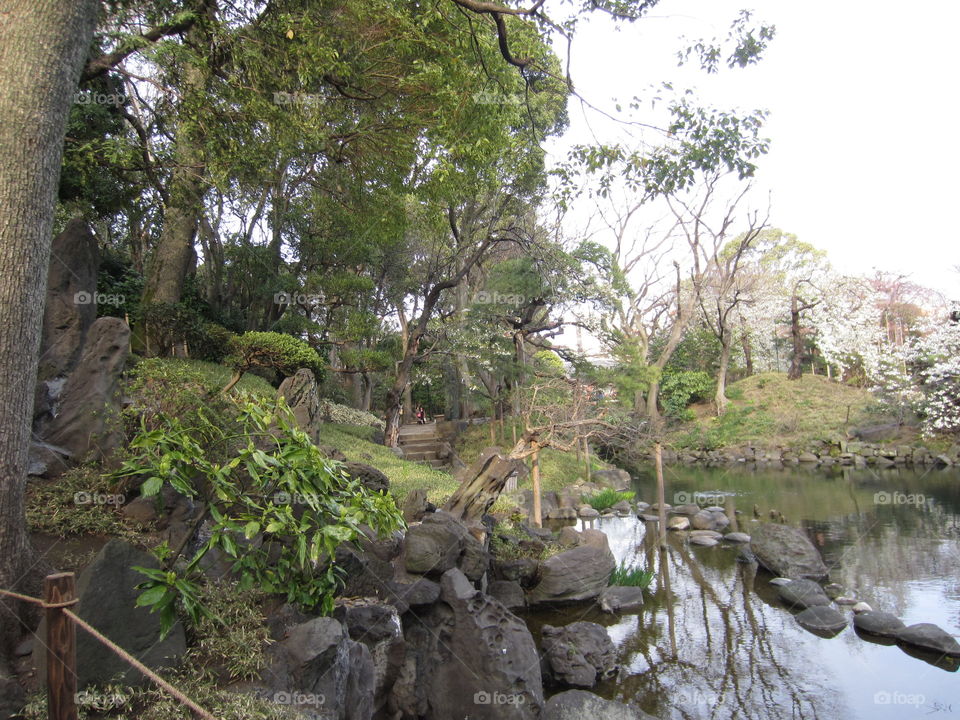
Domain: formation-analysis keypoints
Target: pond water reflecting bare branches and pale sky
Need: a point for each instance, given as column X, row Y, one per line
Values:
column 714, row 641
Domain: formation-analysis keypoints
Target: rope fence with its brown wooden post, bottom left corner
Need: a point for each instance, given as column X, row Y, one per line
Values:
column 58, row 596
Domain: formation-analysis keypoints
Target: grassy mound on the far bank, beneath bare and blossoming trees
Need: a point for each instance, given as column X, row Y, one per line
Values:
column 770, row 410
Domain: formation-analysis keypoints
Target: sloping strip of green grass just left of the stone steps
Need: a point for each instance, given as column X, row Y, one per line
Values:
column 354, row 441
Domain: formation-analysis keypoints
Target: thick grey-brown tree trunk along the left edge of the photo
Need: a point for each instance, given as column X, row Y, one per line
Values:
column 43, row 44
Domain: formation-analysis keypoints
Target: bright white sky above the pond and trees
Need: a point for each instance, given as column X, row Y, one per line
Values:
column 864, row 100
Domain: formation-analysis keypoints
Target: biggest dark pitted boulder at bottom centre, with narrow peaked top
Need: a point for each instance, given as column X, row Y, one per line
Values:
column 467, row 656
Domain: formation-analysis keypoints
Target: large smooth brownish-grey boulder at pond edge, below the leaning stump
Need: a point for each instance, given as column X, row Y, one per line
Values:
column 580, row 573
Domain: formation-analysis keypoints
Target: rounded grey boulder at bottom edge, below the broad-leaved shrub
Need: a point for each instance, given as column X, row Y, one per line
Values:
column 318, row 669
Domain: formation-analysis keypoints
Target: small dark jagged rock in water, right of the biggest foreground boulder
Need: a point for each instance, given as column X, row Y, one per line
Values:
column 579, row 654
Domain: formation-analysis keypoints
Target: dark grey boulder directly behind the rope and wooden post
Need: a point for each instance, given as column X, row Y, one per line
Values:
column 107, row 595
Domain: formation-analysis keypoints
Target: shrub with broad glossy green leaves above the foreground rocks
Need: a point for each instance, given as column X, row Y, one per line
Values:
column 278, row 508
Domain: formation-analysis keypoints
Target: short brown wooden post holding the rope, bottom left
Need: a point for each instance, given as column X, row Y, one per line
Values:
column 61, row 649
